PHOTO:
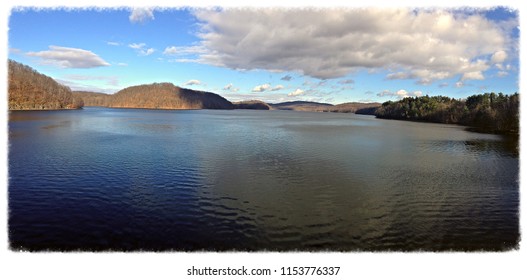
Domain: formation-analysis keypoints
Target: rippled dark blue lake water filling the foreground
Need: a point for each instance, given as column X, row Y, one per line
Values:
column 125, row 179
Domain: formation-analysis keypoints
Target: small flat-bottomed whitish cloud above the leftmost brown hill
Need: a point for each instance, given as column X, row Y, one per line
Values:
column 69, row 57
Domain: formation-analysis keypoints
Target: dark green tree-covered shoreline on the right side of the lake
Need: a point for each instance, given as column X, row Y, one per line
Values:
column 489, row 112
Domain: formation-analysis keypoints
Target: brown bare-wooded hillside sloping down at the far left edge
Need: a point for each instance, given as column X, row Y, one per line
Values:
column 30, row 90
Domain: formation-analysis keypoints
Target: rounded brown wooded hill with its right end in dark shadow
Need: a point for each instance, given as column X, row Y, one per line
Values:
column 167, row 96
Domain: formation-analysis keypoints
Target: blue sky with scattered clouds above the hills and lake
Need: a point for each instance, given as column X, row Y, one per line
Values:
column 331, row 55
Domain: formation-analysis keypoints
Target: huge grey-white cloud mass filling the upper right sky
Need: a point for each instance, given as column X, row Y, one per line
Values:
column 426, row 45
